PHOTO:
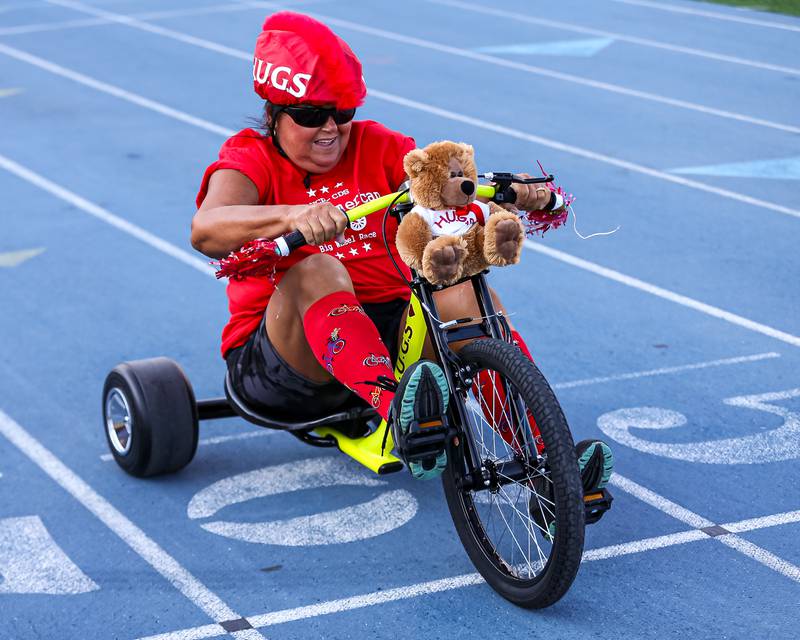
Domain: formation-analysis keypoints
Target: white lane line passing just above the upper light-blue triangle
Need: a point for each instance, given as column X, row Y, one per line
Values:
column 645, row 42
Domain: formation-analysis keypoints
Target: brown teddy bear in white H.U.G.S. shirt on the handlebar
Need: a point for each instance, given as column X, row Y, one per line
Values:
column 448, row 235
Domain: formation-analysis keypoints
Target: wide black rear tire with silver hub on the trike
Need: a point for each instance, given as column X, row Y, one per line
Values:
column 150, row 417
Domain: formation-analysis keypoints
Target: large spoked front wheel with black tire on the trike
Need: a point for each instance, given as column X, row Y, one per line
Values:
column 513, row 487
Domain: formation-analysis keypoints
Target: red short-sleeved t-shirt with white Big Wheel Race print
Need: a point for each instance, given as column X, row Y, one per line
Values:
column 371, row 166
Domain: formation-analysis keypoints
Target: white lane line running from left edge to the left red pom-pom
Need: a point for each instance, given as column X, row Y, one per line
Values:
column 106, row 216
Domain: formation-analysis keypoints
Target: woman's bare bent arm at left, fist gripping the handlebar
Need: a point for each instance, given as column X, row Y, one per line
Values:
column 230, row 216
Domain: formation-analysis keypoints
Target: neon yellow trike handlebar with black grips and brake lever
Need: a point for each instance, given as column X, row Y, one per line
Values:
column 501, row 193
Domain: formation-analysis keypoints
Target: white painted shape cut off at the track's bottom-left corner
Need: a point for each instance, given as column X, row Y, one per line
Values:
column 32, row 562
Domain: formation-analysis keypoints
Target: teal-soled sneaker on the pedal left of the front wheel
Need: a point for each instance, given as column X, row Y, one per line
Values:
column 417, row 418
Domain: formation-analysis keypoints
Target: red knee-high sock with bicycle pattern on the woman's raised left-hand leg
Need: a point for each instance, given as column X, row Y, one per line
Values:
column 345, row 341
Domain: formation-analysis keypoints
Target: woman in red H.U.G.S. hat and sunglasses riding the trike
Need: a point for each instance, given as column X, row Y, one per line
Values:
column 331, row 323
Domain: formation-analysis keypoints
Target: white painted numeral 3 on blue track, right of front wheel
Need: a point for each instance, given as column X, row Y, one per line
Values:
column 774, row 445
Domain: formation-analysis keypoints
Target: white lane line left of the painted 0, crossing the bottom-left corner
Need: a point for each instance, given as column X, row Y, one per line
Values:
column 149, row 550
